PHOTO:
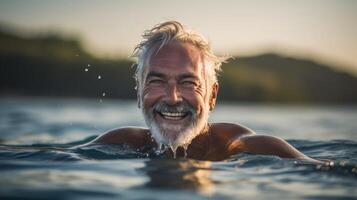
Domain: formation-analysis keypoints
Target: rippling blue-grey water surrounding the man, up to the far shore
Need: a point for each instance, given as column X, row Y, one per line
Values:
column 38, row 161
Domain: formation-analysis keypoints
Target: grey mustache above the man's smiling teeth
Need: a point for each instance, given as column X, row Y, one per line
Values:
column 180, row 107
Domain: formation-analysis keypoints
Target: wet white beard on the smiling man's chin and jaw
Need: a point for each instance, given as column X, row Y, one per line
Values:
column 183, row 136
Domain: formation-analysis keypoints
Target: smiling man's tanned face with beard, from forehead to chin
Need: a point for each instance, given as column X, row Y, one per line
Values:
column 175, row 97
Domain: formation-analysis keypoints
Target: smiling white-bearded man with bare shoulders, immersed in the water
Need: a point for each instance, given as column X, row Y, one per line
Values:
column 177, row 88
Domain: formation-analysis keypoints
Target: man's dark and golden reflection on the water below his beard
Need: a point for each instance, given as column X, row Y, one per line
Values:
column 179, row 174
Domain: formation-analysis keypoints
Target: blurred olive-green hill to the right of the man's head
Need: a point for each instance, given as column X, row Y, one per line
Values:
column 275, row 78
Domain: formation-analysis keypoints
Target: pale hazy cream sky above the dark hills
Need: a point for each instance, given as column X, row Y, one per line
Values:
column 322, row 30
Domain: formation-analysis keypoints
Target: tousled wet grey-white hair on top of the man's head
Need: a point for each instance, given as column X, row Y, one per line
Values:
column 173, row 31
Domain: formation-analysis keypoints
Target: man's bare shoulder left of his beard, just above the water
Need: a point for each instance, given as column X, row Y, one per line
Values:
column 132, row 136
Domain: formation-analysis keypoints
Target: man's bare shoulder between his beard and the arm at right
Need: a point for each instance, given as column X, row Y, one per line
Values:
column 230, row 130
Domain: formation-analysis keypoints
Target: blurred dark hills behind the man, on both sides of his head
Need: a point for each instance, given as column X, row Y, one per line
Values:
column 56, row 66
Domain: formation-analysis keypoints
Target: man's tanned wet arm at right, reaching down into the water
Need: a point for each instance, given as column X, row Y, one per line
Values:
column 269, row 145
